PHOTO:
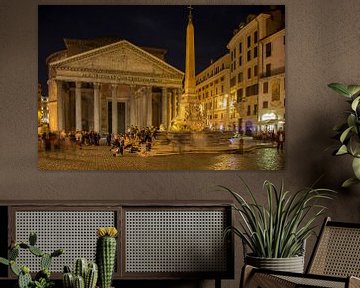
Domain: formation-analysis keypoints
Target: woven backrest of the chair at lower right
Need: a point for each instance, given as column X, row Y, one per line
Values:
column 337, row 251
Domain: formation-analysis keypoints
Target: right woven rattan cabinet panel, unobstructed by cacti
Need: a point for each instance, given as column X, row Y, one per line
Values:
column 175, row 241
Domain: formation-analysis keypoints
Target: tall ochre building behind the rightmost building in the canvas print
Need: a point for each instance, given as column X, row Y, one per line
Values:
column 247, row 63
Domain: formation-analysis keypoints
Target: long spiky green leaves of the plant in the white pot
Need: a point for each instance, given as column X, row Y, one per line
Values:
column 279, row 229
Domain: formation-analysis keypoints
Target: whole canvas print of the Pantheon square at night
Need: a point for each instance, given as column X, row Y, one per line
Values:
column 155, row 87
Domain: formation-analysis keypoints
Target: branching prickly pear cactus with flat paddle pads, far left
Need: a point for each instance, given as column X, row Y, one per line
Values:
column 42, row 278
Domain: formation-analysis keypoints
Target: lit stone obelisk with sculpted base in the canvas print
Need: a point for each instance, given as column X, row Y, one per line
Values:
column 190, row 112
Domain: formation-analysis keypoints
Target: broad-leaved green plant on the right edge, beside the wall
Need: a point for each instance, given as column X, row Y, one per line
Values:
column 349, row 132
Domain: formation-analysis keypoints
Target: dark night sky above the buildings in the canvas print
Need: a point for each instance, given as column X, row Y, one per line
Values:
column 156, row 26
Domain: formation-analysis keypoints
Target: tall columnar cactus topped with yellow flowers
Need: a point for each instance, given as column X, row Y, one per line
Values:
column 106, row 254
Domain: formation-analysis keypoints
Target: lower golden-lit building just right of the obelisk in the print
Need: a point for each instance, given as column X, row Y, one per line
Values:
column 213, row 90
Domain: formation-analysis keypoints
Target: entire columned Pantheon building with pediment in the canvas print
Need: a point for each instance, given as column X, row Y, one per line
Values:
column 106, row 86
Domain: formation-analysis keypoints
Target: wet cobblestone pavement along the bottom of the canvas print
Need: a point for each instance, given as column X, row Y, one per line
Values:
column 100, row 158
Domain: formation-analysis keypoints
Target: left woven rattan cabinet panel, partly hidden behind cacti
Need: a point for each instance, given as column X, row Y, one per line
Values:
column 74, row 231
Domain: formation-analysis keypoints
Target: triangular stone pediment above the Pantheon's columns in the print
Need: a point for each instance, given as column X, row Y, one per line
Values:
column 119, row 57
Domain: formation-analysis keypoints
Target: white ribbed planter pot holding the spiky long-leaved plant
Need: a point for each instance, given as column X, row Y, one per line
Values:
column 291, row 264
